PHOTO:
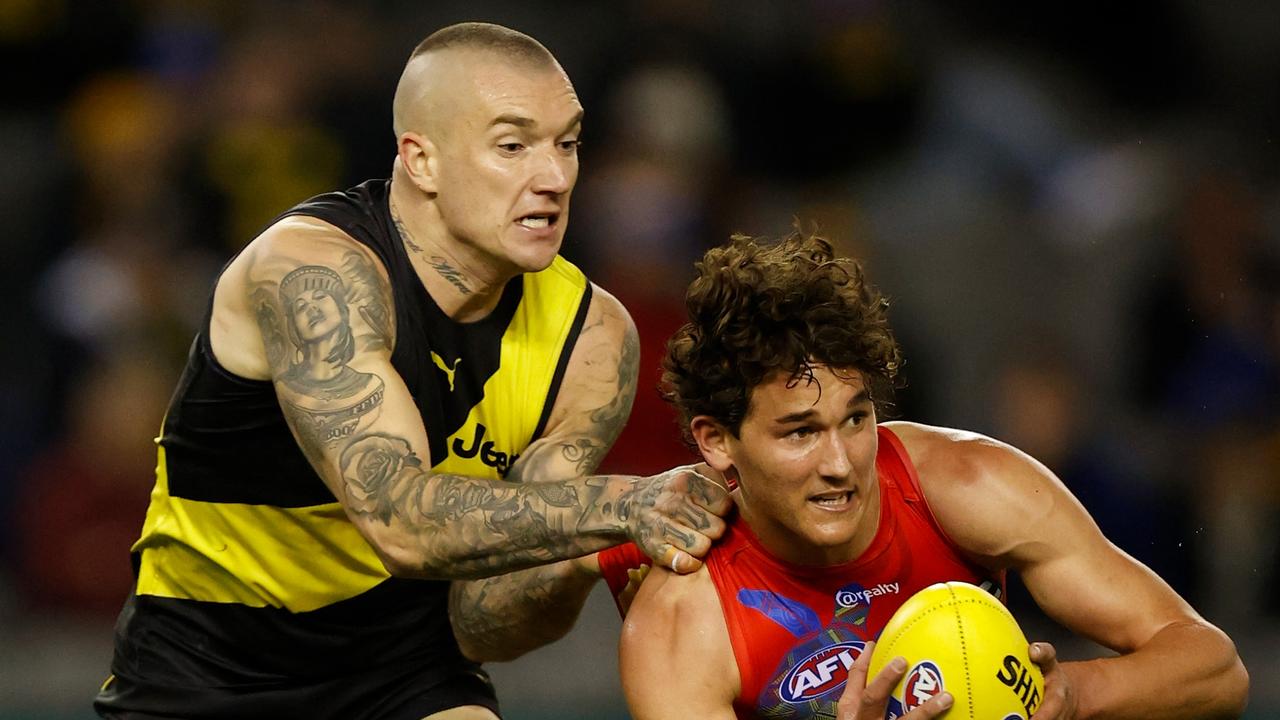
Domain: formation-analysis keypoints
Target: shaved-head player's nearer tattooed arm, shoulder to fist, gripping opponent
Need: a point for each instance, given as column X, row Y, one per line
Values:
column 358, row 425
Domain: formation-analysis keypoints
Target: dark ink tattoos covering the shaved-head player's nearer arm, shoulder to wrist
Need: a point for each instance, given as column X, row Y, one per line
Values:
column 460, row 526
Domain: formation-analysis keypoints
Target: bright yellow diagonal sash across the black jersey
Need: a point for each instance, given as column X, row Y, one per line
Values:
column 308, row 558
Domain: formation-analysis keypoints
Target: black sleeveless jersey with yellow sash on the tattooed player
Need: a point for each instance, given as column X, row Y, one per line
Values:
column 249, row 573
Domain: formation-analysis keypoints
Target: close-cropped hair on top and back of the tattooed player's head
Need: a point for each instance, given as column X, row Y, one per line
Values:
column 417, row 81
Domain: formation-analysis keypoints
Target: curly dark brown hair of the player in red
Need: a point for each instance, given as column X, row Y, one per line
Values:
column 758, row 308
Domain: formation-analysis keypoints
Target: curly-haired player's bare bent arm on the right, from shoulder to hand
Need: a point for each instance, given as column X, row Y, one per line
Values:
column 1172, row 664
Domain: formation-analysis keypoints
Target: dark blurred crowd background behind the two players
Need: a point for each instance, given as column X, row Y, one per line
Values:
column 1075, row 209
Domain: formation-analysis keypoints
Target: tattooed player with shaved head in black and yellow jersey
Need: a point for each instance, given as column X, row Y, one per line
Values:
column 396, row 388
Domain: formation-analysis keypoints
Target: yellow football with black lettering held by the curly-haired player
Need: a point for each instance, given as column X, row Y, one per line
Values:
column 962, row 640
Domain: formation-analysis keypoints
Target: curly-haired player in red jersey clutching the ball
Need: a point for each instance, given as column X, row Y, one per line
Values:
column 780, row 377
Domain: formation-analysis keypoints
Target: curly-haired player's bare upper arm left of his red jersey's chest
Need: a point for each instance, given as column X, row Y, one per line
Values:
column 675, row 653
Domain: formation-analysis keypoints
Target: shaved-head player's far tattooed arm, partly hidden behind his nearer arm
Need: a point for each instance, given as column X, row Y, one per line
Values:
column 502, row 618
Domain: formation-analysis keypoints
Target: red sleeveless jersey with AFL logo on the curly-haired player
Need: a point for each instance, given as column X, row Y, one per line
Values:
column 797, row 630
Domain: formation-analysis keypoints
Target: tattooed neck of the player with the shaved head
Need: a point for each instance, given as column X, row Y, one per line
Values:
column 459, row 280
